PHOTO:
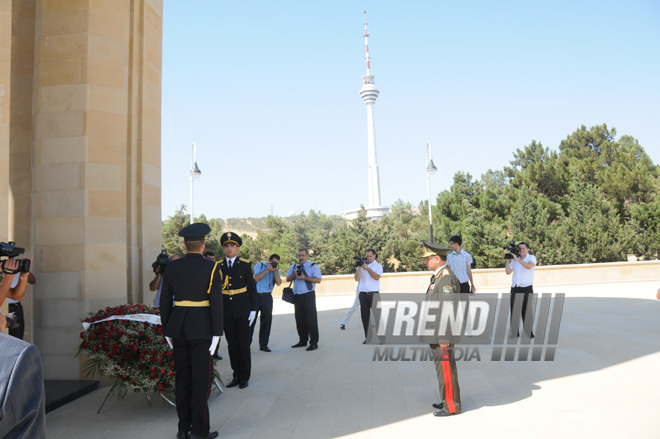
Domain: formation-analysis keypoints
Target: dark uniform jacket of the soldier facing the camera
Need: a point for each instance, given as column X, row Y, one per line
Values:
column 239, row 277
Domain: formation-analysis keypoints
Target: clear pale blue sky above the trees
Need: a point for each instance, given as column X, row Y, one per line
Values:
column 269, row 92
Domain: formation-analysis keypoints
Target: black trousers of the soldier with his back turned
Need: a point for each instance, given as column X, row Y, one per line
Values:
column 194, row 374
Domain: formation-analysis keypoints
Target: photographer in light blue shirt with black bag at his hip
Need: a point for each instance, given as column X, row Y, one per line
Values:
column 304, row 275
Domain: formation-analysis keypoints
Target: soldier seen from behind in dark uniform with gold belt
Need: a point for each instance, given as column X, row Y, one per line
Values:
column 191, row 314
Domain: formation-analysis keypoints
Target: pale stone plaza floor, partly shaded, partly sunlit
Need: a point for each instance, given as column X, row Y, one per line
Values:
column 604, row 383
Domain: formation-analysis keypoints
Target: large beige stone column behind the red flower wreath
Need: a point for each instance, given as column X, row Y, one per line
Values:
column 95, row 152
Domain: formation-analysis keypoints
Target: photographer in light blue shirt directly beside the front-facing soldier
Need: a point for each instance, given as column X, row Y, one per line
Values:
column 266, row 275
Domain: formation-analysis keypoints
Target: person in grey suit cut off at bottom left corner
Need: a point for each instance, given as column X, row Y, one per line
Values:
column 22, row 397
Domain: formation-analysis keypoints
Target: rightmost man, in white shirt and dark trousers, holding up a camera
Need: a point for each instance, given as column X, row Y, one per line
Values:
column 522, row 268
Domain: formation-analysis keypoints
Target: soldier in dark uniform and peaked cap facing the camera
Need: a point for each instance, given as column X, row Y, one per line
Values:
column 239, row 294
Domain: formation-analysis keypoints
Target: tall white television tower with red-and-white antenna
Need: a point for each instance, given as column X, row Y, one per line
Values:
column 369, row 93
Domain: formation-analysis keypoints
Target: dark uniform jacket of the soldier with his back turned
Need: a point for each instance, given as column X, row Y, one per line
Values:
column 188, row 279
